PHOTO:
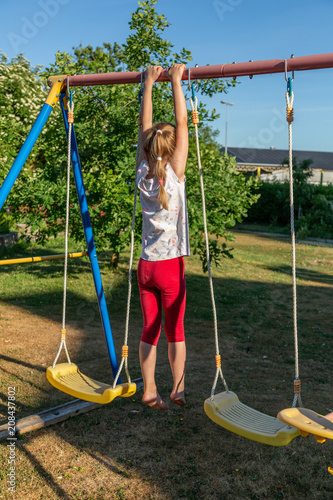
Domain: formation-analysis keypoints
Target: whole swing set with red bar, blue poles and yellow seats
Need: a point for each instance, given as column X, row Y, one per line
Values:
column 224, row 408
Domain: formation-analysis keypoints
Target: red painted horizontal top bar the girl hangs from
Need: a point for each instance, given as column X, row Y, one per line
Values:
column 302, row 63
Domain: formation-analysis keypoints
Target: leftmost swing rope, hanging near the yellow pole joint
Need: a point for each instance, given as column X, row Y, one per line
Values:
column 70, row 105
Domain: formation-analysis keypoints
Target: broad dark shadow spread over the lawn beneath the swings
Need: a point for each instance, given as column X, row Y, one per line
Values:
column 174, row 450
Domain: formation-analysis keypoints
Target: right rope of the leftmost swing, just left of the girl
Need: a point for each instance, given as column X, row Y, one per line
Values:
column 124, row 360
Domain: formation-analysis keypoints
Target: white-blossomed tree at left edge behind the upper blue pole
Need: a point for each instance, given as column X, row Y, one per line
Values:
column 21, row 95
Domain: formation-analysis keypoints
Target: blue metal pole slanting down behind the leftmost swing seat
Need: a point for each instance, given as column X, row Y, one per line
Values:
column 76, row 165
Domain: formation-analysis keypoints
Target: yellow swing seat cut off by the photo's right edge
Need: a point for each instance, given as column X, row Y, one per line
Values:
column 308, row 422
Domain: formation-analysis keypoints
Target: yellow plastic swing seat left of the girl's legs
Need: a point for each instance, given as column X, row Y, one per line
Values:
column 68, row 378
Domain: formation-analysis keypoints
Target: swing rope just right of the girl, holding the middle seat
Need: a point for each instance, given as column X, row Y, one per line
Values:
column 195, row 121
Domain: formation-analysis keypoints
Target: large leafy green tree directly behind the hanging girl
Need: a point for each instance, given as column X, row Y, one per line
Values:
column 106, row 130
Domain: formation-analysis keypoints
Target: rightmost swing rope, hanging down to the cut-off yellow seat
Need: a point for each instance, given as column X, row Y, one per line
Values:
column 290, row 118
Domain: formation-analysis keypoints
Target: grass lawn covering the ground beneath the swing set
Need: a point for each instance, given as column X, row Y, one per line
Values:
column 126, row 450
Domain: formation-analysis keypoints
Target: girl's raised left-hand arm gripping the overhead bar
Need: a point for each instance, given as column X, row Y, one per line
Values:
column 151, row 75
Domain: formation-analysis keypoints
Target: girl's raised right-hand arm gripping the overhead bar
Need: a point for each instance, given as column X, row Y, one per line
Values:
column 179, row 157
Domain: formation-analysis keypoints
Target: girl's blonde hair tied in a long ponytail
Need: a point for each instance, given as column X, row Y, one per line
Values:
column 160, row 141
